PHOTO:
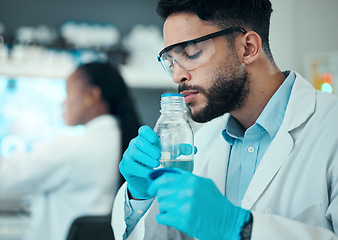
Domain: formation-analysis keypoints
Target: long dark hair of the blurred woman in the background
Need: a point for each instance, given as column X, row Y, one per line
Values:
column 116, row 95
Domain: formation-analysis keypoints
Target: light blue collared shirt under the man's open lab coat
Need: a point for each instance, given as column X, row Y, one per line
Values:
column 248, row 146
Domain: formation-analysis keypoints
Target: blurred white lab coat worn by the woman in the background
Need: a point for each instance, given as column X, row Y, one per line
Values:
column 68, row 177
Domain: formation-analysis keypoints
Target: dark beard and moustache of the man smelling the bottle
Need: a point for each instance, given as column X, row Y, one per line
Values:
column 228, row 93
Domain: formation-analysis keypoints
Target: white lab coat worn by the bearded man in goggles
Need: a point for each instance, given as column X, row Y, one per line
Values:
column 294, row 191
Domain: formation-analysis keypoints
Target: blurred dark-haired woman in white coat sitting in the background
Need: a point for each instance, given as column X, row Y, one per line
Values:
column 73, row 176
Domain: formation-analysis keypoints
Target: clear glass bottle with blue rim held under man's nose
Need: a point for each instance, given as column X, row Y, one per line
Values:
column 175, row 133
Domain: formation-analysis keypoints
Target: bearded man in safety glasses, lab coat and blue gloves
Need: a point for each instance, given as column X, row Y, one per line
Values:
column 267, row 169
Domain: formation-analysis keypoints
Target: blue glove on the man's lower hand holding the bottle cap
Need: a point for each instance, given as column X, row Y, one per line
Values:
column 196, row 207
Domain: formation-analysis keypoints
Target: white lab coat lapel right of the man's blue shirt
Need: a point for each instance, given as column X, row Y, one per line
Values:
column 301, row 106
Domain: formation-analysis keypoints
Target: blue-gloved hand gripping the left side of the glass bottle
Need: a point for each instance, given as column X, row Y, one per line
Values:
column 138, row 160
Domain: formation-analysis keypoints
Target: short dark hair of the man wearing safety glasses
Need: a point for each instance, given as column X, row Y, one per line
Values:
column 249, row 14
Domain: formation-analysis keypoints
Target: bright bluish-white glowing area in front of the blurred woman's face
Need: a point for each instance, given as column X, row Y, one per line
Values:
column 30, row 110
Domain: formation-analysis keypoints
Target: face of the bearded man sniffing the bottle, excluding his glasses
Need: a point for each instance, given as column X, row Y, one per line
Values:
column 217, row 86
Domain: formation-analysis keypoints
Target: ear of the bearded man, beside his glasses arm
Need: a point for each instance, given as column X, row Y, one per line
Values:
column 251, row 44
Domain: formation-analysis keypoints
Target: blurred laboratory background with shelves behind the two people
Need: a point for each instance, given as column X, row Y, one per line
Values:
column 42, row 42
